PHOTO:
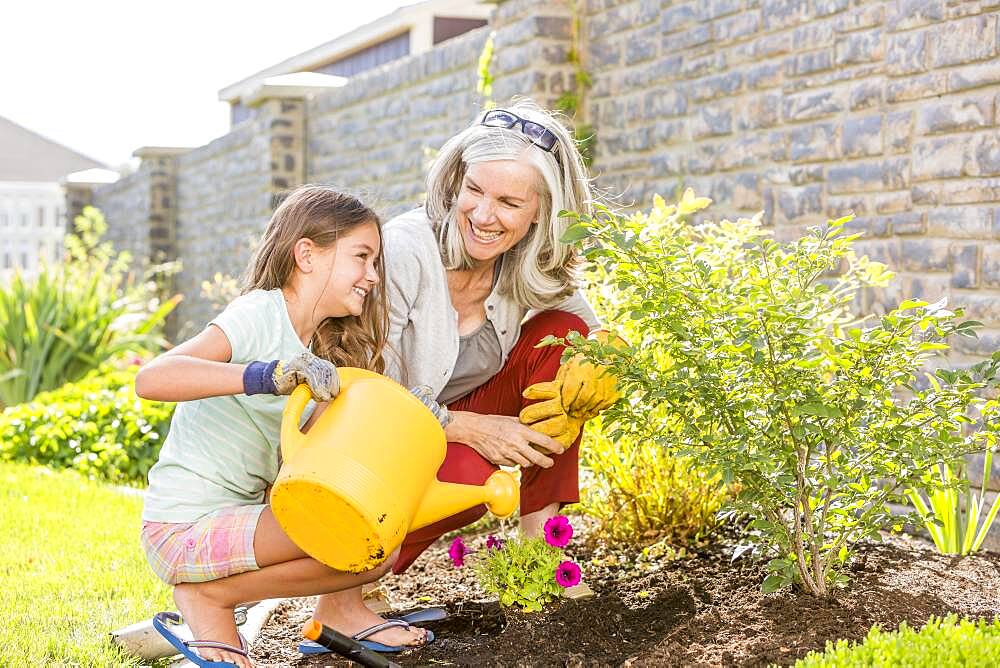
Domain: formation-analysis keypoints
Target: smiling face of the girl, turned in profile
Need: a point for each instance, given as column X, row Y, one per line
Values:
column 349, row 271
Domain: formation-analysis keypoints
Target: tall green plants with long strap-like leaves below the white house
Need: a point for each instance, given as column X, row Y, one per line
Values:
column 74, row 316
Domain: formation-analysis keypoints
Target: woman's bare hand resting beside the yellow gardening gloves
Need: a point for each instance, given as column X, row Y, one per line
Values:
column 502, row 439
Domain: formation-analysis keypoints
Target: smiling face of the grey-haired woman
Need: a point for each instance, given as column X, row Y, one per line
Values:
column 496, row 206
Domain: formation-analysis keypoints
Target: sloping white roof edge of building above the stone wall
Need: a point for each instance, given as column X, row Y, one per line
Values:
column 399, row 21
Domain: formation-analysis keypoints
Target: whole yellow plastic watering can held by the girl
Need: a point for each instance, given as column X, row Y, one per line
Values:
column 366, row 474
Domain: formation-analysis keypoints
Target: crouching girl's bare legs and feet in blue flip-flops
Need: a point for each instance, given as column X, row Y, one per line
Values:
column 285, row 570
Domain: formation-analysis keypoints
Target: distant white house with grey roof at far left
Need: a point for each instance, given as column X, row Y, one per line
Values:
column 32, row 203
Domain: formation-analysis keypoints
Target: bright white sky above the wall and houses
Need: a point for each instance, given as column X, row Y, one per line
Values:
column 105, row 77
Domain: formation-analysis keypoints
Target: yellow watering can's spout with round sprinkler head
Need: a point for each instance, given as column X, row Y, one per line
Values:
column 500, row 494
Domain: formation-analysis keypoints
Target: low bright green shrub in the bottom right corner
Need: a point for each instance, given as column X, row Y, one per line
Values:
column 941, row 642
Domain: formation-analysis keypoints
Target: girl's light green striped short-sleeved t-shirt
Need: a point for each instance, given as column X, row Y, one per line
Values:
column 223, row 451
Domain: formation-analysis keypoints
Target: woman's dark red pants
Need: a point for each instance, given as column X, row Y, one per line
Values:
column 501, row 395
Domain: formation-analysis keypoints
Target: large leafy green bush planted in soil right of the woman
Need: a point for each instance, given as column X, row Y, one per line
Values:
column 775, row 384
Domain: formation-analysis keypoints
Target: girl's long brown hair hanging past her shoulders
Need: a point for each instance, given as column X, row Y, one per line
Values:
column 323, row 214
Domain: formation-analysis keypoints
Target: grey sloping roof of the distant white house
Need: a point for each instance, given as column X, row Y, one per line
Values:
column 28, row 156
